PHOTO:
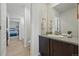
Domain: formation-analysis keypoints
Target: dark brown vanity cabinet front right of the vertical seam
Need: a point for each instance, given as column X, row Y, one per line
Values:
column 59, row 48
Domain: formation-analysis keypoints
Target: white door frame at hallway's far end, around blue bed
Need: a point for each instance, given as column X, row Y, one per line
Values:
column 20, row 27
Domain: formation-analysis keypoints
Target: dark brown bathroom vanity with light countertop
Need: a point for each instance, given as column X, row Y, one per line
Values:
column 57, row 46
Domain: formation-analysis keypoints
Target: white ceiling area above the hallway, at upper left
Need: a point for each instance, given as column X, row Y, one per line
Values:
column 17, row 9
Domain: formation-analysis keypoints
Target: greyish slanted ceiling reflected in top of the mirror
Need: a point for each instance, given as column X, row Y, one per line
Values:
column 64, row 6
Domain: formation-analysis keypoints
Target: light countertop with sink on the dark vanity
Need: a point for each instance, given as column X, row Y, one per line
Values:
column 73, row 40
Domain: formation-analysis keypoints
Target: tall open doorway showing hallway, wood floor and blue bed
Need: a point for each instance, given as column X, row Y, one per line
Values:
column 16, row 36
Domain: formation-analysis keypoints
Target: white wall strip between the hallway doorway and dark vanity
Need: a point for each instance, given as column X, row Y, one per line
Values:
column 36, row 28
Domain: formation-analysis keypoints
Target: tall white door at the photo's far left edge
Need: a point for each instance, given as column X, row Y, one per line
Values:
column 3, row 29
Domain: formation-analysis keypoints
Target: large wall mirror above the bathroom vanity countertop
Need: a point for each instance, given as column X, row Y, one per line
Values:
column 64, row 18
